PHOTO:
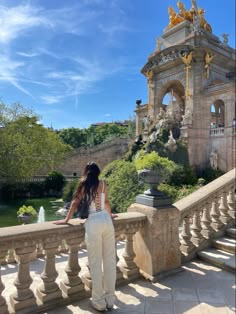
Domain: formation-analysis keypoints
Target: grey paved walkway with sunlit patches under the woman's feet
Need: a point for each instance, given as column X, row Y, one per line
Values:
column 199, row 289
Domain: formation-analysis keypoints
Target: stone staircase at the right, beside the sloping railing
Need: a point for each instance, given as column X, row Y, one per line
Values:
column 223, row 251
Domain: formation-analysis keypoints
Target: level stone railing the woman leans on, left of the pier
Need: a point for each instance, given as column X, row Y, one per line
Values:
column 48, row 290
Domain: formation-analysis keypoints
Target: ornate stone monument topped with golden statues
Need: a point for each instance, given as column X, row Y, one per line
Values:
column 197, row 69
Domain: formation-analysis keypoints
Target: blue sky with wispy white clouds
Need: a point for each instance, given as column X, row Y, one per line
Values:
column 77, row 62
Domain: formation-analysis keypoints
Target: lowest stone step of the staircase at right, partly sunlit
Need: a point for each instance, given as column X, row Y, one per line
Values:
column 219, row 258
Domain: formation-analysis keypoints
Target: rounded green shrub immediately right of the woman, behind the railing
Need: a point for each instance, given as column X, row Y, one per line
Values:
column 123, row 186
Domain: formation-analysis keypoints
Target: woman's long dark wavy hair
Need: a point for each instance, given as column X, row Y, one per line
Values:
column 89, row 182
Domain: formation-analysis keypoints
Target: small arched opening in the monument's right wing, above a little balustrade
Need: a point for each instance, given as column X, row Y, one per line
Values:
column 217, row 111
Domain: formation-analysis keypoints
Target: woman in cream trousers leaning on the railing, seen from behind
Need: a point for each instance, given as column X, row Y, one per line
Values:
column 99, row 236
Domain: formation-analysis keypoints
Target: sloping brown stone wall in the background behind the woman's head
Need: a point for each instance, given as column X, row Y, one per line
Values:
column 102, row 154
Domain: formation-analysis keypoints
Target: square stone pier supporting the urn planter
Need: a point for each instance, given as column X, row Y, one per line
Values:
column 157, row 245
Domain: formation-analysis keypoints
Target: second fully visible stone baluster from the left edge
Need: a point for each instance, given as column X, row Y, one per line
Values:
column 49, row 289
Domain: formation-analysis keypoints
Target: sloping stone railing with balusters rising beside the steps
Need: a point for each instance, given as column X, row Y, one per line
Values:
column 206, row 213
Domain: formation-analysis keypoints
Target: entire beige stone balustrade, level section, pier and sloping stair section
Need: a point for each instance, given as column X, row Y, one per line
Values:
column 157, row 240
